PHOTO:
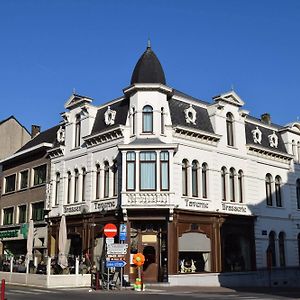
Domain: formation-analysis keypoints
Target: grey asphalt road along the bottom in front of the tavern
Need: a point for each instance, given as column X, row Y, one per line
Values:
column 155, row 293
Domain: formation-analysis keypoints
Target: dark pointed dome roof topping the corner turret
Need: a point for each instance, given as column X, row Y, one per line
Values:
column 148, row 69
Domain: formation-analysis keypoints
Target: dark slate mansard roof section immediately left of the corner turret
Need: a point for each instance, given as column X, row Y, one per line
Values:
column 121, row 107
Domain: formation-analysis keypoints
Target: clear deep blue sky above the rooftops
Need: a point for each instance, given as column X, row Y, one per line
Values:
column 49, row 48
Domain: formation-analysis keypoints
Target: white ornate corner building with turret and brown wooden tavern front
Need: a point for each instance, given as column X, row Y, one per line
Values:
column 202, row 187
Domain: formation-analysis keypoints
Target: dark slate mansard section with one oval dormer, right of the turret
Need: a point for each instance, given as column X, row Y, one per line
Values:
column 178, row 116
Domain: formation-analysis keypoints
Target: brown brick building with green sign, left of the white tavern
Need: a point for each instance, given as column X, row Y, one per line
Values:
column 24, row 181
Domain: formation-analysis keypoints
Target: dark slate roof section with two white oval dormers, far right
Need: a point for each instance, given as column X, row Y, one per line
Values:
column 265, row 133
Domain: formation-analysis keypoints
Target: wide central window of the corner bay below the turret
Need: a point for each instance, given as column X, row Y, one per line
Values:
column 147, row 171
